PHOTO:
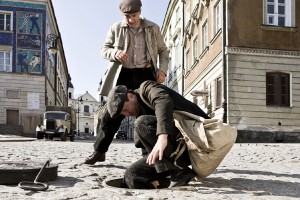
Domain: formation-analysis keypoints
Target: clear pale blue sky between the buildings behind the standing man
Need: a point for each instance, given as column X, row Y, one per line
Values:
column 83, row 26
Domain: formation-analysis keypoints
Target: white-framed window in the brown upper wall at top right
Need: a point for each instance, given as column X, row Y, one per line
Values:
column 279, row 12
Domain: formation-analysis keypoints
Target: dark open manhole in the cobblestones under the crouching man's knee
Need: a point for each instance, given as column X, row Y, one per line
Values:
column 118, row 183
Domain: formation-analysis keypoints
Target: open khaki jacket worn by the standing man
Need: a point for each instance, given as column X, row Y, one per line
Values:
column 118, row 40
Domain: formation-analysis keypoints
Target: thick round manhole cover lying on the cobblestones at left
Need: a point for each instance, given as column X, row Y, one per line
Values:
column 13, row 172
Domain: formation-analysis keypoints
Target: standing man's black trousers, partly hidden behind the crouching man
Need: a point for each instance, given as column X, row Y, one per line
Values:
column 107, row 126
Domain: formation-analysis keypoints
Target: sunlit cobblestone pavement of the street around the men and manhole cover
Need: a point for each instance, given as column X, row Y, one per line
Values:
column 250, row 171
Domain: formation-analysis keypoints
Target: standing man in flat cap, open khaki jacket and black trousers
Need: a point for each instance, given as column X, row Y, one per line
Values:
column 137, row 52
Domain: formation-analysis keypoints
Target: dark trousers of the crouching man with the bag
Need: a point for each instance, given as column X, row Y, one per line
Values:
column 139, row 175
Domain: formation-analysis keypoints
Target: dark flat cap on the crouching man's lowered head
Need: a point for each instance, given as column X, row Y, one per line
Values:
column 115, row 100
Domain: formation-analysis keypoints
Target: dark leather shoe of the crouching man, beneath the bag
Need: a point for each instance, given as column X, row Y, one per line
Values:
column 181, row 177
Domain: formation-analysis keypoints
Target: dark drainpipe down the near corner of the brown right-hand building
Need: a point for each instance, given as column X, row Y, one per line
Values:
column 225, row 67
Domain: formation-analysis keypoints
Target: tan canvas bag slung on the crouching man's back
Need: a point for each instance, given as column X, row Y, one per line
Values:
column 207, row 140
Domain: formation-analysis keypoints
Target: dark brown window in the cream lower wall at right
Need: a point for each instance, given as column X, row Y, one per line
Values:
column 278, row 89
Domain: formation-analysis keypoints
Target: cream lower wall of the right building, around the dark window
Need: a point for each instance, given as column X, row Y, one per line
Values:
column 247, row 89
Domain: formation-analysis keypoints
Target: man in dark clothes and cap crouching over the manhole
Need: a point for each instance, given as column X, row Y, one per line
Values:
column 154, row 104
